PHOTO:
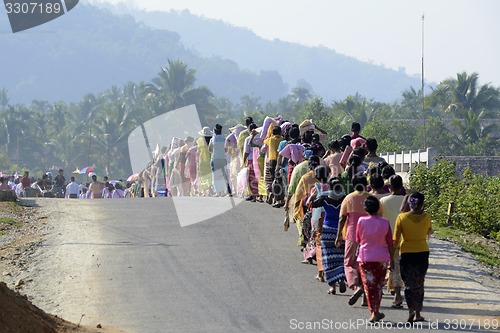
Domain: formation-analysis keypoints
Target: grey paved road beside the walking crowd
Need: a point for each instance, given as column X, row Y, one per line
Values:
column 129, row 264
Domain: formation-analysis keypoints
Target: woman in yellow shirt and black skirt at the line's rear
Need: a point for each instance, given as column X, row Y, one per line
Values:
column 412, row 229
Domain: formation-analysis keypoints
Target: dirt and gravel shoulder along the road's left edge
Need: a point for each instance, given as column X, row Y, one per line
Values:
column 22, row 231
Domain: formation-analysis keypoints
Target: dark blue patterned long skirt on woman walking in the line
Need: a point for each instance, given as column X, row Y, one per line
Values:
column 331, row 256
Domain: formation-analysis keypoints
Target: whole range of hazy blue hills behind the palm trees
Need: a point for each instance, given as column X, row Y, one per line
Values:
column 91, row 49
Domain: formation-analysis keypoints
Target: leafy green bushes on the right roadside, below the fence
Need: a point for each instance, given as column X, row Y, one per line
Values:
column 474, row 222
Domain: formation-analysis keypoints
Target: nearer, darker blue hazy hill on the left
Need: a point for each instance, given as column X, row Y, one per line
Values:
column 90, row 49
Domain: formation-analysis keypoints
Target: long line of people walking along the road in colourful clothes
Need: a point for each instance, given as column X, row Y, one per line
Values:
column 353, row 216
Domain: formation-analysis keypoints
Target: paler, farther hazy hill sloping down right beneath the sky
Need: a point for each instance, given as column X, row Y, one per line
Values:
column 331, row 75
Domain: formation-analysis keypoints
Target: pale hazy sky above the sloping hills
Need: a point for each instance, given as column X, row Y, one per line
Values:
column 459, row 35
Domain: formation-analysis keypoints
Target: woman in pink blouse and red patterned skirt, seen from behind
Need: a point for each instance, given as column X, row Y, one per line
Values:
column 376, row 249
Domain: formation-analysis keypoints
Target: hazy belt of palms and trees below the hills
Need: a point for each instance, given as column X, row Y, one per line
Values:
column 45, row 136
